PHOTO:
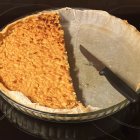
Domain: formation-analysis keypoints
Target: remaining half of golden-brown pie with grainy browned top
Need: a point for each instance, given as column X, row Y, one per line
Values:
column 33, row 61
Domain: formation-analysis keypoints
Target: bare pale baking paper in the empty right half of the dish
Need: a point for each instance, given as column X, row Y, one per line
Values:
column 113, row 41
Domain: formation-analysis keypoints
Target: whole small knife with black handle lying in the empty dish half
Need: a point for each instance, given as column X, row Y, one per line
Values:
column 115, row 81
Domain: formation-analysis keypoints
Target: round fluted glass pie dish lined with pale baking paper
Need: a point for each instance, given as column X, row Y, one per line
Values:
column 109, row 38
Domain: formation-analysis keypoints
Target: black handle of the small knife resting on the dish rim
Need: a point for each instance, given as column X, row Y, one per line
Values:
column 120, row 85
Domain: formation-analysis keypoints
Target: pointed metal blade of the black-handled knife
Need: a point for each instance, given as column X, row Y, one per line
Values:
column 92, row 59
